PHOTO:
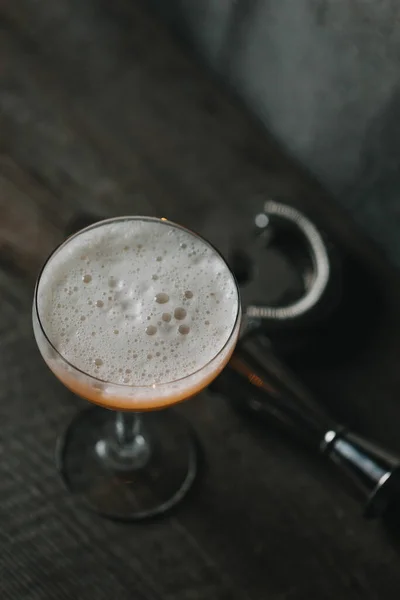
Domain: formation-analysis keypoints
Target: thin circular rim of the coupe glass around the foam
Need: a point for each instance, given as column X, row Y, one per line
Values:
column 133, row 218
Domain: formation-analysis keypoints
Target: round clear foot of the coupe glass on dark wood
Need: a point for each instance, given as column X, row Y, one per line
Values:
column 140, row 481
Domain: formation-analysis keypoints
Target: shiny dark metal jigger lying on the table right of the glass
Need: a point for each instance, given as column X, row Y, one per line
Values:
column 272, row 392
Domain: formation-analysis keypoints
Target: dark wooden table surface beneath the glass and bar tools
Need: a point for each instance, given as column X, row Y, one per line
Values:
column 101, row 110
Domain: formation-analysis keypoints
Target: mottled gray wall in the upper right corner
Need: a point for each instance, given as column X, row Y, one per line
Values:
column 324, row 78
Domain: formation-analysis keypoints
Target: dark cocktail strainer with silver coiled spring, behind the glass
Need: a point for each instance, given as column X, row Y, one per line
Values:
column 322, row 302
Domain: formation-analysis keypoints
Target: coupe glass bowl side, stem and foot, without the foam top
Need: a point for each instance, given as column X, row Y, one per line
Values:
column 128, row 464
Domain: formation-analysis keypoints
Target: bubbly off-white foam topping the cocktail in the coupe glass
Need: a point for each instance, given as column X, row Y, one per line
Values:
column 137, row 302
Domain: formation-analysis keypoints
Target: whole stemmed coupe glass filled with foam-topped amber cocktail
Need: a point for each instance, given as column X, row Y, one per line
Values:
column 134, row 314
